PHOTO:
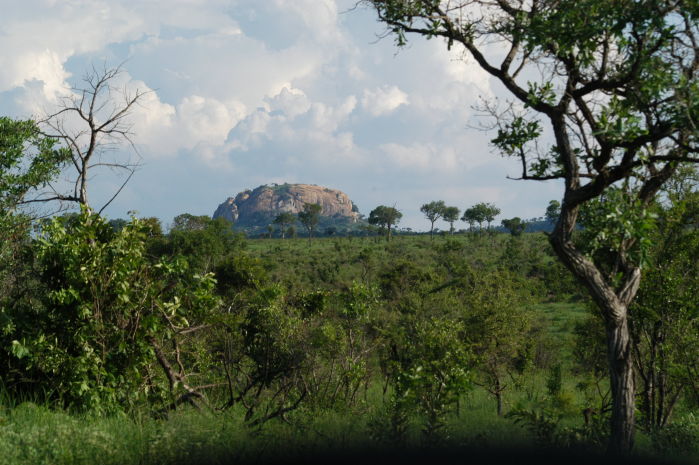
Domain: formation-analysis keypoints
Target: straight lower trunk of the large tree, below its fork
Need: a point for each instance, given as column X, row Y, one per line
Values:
column 622, row 385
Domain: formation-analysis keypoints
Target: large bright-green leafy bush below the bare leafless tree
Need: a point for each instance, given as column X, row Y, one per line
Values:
column 89, row 343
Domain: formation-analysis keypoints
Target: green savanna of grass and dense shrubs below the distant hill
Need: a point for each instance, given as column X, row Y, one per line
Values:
column 201, row 346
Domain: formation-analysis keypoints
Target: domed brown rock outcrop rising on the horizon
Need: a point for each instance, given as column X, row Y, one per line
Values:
column 262, row 204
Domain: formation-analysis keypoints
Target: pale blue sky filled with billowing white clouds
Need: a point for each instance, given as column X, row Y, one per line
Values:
column 248, row 92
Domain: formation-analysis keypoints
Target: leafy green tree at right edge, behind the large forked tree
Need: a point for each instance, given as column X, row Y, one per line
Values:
column 664, row 316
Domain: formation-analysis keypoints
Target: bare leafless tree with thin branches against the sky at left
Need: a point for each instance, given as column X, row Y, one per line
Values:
column 93, row 123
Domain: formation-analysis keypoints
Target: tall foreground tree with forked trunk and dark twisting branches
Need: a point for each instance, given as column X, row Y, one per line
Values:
column 616, row 85
